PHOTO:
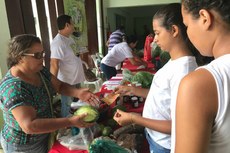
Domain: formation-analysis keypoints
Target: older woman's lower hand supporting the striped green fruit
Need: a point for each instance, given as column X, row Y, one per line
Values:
column 77, row 121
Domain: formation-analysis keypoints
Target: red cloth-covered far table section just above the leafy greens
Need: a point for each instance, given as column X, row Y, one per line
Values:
column 133, row 68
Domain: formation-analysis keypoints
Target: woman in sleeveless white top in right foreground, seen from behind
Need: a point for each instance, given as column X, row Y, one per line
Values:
column 203, row 102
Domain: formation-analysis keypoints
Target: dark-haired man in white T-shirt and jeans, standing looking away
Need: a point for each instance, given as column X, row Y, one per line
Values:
column 63, row 63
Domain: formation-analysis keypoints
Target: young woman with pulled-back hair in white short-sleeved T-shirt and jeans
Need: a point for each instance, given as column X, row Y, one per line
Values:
column 170, row 35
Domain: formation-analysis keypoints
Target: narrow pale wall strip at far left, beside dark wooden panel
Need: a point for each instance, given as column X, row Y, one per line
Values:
column 4, row 39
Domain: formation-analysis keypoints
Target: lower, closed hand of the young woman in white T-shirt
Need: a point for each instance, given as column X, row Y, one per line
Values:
column 123, row 118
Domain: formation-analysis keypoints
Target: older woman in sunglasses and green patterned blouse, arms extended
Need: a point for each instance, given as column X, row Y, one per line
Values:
column 26, row 97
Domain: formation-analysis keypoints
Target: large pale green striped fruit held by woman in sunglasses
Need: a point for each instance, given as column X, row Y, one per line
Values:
column 92, row 113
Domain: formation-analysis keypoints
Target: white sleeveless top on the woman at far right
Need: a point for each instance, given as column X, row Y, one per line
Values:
column 220, row 137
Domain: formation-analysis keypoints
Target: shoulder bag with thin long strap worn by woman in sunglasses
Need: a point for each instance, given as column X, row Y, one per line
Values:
column 52, row 137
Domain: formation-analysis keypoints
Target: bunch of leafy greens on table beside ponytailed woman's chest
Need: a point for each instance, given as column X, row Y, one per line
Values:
column 145, row 78
